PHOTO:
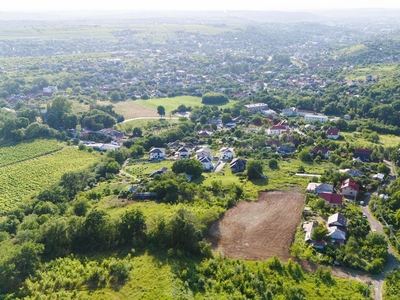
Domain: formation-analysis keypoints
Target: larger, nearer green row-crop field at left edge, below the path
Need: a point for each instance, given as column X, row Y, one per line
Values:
column 18, row 181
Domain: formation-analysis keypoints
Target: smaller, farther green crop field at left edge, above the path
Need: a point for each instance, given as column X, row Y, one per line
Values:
column 17, row 152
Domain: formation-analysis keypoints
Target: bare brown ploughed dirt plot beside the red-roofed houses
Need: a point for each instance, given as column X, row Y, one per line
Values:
column 260, row 229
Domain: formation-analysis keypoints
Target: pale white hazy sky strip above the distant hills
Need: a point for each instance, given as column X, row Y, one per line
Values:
column 304, row 5
